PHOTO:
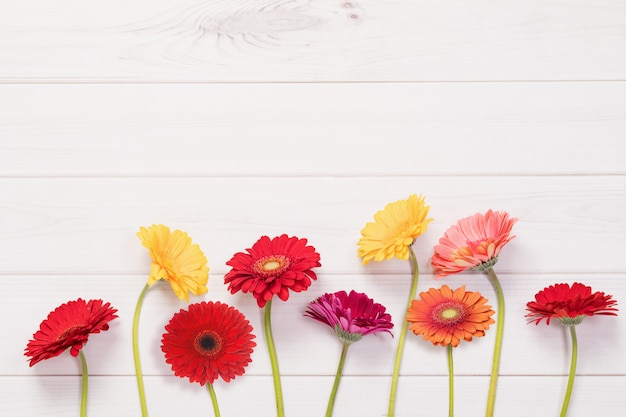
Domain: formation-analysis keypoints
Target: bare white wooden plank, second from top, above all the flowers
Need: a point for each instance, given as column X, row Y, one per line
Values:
column 312, row 129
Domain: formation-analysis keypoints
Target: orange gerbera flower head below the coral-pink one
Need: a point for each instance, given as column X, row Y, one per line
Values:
column 444, row 317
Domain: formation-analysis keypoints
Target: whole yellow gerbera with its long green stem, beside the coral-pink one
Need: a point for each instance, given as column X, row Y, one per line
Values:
column 392, row 233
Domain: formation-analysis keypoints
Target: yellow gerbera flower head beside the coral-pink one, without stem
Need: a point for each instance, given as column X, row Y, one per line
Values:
column 394, row 229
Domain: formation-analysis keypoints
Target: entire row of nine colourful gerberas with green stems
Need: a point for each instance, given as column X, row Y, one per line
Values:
column 211, row 340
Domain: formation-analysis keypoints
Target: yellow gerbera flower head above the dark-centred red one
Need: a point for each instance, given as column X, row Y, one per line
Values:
column 176, row 260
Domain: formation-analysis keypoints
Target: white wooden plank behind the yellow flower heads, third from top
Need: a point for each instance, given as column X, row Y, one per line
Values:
column 78, row 226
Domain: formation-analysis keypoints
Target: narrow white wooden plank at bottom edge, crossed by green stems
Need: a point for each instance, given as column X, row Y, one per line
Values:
column 307, row 396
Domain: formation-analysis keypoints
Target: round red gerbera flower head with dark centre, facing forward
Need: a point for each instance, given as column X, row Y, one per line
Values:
column 208, row 340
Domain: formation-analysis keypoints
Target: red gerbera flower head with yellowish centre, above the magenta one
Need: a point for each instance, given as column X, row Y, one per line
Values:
column 273, row 267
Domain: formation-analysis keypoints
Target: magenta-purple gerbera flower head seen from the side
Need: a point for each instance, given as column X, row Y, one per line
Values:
column 351, row 316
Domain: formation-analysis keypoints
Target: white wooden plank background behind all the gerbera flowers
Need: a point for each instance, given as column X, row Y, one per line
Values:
column 233, row 119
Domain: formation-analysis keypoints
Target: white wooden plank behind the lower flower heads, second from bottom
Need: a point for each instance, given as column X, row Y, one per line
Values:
column 306, row 347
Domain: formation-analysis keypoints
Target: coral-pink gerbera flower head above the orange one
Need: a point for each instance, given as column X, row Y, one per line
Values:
column 474, row 242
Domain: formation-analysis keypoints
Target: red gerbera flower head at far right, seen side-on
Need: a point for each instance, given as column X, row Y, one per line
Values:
column 569, row 304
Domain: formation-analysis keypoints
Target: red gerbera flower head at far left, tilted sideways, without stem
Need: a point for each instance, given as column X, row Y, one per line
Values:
column 69, row 326
